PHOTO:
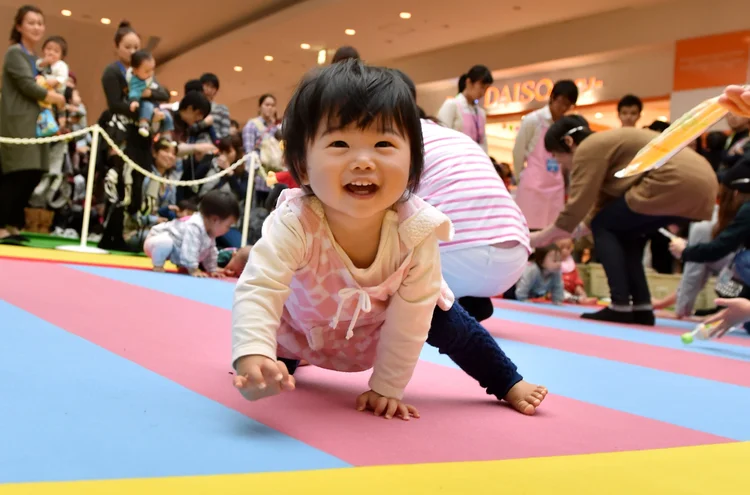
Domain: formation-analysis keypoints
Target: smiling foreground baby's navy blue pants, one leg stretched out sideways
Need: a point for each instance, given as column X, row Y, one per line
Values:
column 460, row 337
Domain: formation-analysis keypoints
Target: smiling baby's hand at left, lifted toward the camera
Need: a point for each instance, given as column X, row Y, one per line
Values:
column 259, row 377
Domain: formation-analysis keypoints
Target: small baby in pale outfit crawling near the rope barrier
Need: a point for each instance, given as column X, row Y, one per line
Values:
column 190, row 241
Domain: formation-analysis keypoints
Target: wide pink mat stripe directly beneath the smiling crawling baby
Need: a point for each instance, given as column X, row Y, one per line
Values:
column 189, row 343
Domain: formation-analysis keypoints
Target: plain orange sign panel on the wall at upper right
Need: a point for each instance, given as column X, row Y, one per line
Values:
column 712, row 61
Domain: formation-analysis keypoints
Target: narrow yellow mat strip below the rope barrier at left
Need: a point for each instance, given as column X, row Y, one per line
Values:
column 29, row 253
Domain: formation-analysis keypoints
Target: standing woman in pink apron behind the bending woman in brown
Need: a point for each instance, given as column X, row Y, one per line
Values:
column 541, row 189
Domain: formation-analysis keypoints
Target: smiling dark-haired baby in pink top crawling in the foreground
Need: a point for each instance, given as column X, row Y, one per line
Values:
column 346, row 275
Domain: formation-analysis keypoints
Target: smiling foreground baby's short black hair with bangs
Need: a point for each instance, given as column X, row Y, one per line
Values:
column 350, row 93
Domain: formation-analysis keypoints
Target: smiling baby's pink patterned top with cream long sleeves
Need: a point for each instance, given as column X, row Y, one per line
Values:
column 301, row 297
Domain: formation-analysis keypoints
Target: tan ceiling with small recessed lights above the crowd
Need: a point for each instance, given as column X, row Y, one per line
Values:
column 197, row 37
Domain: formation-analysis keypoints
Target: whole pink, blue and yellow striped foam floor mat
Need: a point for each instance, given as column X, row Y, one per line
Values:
column 118, row 381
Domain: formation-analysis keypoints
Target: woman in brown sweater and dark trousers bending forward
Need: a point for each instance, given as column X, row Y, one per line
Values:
column 620, row 212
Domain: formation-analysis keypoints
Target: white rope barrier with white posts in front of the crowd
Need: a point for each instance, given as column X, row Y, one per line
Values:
column 97, row 131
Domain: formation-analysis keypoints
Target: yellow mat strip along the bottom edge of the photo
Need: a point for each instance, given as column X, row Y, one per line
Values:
column 709, row 469
